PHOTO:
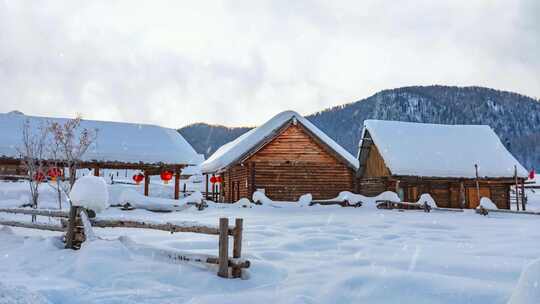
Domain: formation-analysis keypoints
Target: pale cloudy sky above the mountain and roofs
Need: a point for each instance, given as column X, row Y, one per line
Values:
column 239, row 62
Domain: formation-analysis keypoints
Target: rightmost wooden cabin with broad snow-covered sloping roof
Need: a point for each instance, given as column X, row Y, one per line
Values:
column 455, row 164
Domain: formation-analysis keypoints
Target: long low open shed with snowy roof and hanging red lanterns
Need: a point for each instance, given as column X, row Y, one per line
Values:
column 149, row 148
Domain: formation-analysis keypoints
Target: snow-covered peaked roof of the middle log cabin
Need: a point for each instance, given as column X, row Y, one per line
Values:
column 234, row 150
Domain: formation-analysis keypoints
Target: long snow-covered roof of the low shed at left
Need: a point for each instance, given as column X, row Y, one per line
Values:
column 116, row 141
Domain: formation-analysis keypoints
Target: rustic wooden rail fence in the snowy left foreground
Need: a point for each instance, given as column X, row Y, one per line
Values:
column 71, row 223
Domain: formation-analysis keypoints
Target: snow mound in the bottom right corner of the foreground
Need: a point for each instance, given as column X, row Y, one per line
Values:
column 527, row 290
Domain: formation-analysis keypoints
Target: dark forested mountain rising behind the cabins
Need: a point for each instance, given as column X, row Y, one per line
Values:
column 514, row 117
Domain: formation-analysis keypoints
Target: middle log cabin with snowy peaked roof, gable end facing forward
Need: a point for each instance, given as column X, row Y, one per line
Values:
column 286, row 157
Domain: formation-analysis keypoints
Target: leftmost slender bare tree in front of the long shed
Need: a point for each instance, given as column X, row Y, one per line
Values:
column 32, row 154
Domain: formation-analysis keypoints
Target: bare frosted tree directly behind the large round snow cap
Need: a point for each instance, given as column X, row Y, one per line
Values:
column 71, row 143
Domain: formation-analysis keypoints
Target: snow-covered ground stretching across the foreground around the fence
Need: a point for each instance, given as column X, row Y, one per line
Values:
column 299, row 255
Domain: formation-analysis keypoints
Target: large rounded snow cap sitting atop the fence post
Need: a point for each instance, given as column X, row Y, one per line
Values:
column 90, row 192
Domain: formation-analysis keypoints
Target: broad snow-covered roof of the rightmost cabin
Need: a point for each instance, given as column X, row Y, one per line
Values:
column 433, row 150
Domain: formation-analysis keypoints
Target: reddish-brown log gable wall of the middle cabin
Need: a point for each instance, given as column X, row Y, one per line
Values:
column 291, row 165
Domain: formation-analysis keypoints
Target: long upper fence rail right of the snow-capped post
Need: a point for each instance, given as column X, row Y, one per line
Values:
column 163, row 227
